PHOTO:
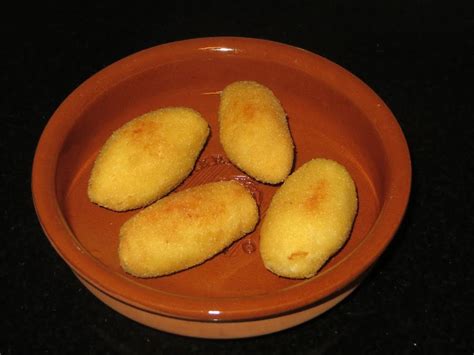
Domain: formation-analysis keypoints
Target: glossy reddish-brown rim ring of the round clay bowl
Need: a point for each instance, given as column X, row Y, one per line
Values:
column 226, row 309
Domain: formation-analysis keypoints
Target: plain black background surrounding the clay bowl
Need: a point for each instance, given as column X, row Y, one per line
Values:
column 418, row 56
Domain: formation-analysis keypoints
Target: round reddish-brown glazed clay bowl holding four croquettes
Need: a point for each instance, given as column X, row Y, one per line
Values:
column 331, row 114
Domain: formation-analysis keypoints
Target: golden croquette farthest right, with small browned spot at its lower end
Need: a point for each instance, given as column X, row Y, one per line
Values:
column 309, row 219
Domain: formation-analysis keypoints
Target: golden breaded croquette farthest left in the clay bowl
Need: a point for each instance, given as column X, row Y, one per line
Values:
column 147, row 158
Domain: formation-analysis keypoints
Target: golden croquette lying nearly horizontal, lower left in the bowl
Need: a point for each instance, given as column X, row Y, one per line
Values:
column 186, row 228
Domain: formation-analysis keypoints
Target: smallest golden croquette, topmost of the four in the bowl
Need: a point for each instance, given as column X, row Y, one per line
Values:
column 254, row 131
